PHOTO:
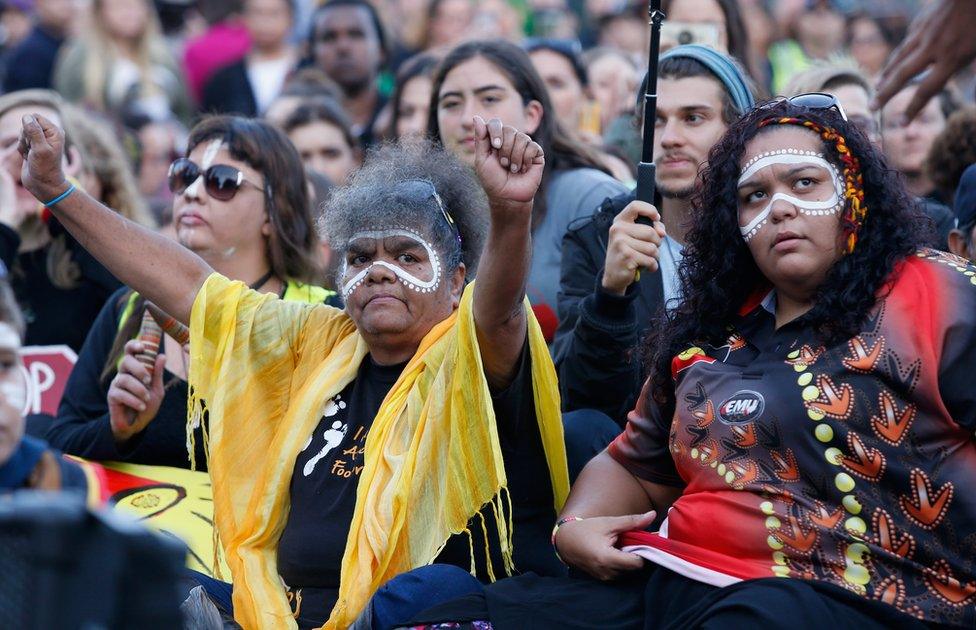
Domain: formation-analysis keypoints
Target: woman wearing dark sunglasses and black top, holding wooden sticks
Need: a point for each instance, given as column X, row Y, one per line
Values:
column 241, row 205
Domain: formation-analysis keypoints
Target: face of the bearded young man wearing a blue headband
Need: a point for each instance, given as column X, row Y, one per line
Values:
column 689, row 121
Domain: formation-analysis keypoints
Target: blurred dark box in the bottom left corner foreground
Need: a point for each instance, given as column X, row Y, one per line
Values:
column 65, row 566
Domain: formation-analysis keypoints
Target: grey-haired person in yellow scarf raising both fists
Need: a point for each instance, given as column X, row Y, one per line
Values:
column 419, row 425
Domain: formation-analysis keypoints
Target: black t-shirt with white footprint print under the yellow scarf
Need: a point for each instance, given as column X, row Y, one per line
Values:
column 323, row 492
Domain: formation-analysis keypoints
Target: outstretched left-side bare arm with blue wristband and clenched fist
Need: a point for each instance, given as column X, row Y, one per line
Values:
column 157, row 267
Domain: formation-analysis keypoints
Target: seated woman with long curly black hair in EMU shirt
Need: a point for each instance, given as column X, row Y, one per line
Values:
column 809, row 414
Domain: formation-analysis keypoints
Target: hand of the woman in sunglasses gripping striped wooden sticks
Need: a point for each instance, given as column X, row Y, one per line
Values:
column 134, row 395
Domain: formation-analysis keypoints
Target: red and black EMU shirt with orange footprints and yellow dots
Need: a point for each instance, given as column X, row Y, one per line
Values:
column 854, row 464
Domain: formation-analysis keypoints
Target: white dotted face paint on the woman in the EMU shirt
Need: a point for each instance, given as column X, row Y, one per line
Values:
column 791, row 157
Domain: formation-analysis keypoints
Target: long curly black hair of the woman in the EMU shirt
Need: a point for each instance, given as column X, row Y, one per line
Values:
column 718, row 272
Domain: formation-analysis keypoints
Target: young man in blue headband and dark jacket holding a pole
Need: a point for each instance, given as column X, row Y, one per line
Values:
column 603, row 312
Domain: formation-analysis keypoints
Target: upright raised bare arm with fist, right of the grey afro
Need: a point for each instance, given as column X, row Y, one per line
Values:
column 509, row 165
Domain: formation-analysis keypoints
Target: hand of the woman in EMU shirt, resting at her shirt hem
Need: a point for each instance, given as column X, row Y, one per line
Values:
column 589, row 544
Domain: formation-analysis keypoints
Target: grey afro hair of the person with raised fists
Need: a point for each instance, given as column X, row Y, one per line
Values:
column 369, row 202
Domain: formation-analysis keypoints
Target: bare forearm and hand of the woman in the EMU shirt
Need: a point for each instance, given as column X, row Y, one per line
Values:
column 610, row 501
